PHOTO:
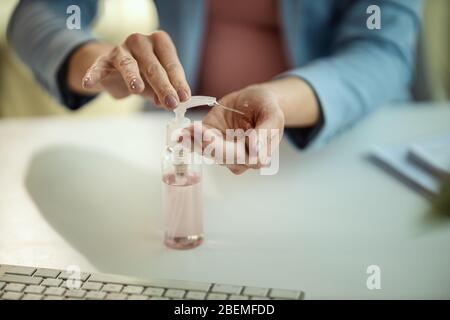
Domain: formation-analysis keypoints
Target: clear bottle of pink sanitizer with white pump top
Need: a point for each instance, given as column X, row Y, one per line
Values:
column 182, row 183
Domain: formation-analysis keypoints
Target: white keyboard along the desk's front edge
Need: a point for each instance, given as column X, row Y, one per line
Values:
column 29, row 283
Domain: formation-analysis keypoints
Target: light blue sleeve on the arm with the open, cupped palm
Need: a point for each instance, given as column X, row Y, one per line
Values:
column 366, row 68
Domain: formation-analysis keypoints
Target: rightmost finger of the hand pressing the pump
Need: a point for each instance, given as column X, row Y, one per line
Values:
column 166, row 53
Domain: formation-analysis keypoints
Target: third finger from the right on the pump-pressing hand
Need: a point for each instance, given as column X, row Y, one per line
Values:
column 124, row 62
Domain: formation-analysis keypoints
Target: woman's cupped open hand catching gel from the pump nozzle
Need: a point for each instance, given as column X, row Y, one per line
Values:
column 261, row 112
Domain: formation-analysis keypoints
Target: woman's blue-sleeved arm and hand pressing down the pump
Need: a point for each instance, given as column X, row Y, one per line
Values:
column 74, row 68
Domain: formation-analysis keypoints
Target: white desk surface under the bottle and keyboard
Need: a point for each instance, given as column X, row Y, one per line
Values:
column 86, row 192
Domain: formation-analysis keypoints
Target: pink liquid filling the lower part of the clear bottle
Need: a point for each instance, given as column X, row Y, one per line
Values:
column 182, row 201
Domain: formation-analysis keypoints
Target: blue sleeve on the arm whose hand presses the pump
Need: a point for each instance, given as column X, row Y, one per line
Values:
column 39, row 34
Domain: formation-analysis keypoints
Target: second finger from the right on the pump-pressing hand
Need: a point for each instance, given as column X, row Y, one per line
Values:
column 154, row 74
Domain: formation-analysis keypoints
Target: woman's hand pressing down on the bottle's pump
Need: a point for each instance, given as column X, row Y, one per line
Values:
column 147, row 65
